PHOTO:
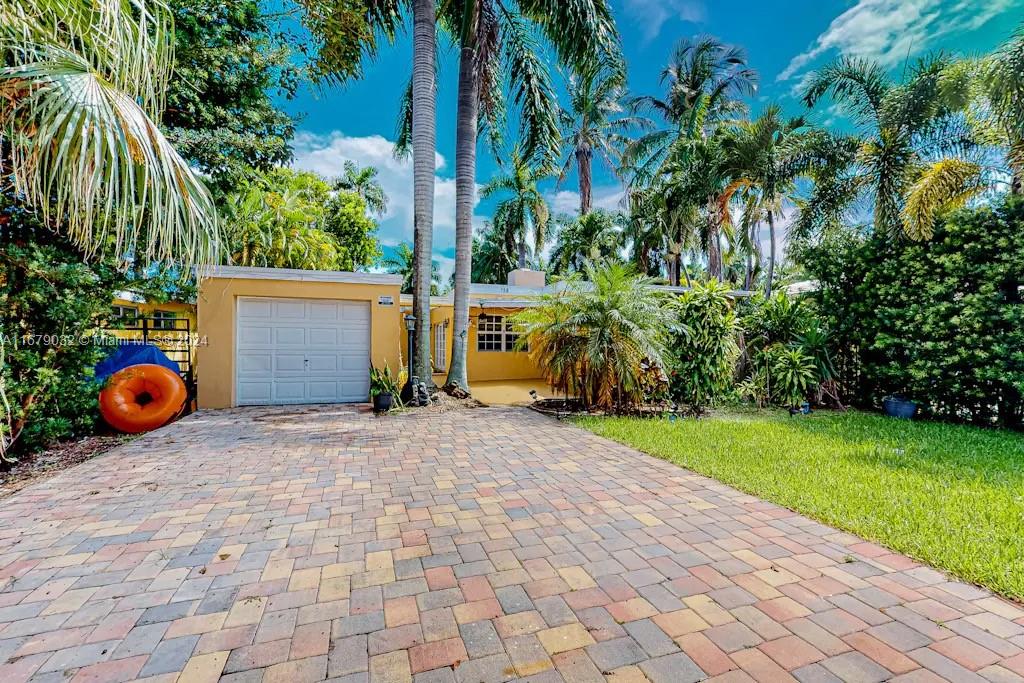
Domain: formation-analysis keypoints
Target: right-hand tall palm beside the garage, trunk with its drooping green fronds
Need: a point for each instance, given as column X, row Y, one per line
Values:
column 496, row 38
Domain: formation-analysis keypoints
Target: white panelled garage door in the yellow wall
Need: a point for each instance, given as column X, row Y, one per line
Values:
column 303, row 352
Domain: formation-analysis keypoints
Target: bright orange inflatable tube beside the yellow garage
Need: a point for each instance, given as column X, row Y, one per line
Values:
column 143, row 398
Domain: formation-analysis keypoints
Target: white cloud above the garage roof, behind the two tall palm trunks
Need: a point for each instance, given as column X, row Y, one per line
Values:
column 327, row 155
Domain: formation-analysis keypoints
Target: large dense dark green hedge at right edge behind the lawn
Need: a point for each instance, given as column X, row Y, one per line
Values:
column 941, row 322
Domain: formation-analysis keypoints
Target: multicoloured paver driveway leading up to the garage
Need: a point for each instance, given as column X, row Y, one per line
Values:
column 479, row 546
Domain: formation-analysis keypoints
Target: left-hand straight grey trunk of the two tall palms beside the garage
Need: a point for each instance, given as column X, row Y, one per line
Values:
column 424, row 151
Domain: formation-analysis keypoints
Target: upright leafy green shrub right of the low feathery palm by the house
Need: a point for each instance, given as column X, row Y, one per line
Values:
column 704, row 347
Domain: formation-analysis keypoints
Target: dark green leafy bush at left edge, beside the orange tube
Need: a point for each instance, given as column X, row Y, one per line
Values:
column 54, row 308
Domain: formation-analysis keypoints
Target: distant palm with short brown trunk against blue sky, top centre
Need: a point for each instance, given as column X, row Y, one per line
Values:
column 594, row 124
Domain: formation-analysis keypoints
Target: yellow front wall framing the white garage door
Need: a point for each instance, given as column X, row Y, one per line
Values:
column 218, row 297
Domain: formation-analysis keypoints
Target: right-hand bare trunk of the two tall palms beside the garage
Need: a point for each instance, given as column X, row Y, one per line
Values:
column 465, row 189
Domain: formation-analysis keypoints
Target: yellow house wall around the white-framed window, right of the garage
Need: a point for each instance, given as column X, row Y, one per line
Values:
column 483, row 366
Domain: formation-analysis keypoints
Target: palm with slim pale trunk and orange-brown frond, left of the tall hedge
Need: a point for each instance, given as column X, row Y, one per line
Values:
column 765, row 157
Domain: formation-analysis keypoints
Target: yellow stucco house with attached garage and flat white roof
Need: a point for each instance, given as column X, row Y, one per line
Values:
column 277, row 336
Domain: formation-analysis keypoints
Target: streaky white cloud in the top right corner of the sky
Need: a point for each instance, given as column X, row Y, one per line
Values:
column 889, row 31
